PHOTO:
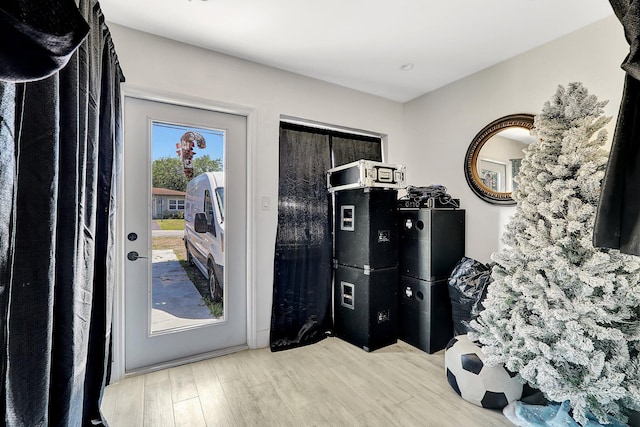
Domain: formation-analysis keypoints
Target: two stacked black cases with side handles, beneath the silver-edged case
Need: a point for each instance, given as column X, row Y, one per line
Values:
column 366, row 267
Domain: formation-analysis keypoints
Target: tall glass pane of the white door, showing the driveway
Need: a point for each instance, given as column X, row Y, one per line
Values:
column 187, row 221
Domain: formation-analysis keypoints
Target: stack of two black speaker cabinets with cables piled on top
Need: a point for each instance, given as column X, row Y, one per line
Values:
column 431, row 242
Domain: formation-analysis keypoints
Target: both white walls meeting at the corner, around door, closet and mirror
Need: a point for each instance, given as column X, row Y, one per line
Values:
column 429, row 134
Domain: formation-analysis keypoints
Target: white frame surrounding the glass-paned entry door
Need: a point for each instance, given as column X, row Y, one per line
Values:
column 118, row 323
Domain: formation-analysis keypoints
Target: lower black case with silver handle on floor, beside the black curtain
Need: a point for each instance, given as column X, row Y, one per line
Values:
column 365, row 306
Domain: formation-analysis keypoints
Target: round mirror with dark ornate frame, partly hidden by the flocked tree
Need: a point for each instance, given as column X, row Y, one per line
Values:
column 493, row 158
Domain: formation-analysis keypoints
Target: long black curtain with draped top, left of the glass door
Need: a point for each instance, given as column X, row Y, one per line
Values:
column 60, row 149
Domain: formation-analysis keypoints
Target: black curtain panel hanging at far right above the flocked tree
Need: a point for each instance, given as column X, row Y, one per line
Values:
column 618, row 219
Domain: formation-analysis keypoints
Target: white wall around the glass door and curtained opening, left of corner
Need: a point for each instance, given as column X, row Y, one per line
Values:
column 157, row 64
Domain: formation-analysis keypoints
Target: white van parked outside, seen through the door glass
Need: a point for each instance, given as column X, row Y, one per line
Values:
column 204, row 229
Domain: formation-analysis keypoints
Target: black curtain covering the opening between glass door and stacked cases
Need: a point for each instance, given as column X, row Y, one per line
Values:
column 301, row 310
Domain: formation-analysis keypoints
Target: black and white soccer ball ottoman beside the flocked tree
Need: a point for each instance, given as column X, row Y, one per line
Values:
column 490, row 387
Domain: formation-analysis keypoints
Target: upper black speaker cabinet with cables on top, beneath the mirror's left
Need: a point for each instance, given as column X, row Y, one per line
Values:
column 431, row 242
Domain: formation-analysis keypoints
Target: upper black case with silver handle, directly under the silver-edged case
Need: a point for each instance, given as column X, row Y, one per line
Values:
column 366, row 231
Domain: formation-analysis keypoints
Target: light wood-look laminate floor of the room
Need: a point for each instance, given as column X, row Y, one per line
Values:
column 331, row 383
